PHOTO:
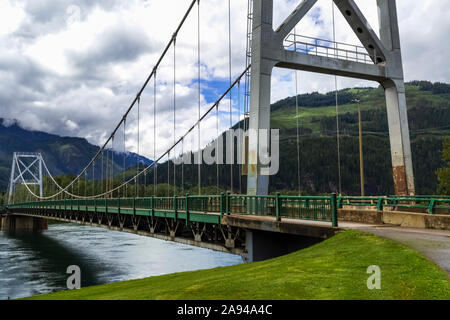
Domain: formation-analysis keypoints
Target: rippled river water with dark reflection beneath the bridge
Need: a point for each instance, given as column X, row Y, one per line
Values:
column 36, row 263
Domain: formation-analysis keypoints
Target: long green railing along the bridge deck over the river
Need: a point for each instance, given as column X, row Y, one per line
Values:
column 320, row 208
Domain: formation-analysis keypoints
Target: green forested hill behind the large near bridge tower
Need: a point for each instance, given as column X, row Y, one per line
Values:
column 429, row 121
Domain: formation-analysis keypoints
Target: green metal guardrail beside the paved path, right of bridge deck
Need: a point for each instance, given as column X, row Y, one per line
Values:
column 428, row 204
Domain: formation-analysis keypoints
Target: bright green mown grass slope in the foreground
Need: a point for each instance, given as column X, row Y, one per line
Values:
column 333, row 269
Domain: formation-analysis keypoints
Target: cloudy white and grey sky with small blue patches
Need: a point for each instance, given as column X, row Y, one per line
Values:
column 72, row 67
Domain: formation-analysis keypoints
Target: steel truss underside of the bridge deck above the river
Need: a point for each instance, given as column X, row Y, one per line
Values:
column 201, row 229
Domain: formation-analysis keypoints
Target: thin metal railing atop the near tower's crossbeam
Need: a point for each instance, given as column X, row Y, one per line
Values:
column 329, row 49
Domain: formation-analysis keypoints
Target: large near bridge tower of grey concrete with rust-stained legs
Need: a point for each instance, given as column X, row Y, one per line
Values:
column 385, row 66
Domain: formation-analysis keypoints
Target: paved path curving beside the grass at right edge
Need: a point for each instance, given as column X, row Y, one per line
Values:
column 434, row 244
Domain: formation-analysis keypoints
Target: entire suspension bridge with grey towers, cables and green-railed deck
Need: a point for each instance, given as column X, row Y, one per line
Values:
column 249, row 222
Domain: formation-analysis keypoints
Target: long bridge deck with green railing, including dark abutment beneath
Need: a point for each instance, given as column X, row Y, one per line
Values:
column 256, row 227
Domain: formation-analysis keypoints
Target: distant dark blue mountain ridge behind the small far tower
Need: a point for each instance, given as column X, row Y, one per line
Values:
column 63, row 155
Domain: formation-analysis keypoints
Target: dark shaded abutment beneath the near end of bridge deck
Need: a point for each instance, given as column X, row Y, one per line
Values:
column 263, row 245
